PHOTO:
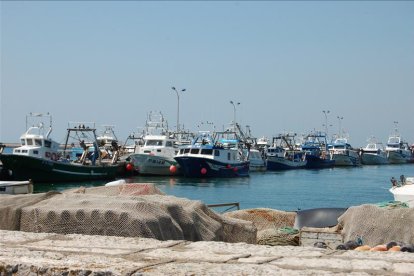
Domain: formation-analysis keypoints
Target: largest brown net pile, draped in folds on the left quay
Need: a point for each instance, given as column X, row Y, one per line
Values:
column 132, row 210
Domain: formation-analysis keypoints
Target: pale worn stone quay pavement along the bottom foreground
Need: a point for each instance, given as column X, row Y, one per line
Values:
column 24, row 253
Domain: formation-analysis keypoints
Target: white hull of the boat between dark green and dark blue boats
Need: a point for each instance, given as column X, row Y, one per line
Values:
column 154, row 165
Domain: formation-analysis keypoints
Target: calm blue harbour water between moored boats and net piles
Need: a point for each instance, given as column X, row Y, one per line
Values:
column 288, row 190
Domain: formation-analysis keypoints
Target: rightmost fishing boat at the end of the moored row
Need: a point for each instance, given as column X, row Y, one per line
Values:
column 398, row 151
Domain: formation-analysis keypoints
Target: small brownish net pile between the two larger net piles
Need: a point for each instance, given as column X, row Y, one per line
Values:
column 273, row 227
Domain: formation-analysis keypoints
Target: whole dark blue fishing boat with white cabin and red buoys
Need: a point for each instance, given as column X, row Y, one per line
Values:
column 217, row 155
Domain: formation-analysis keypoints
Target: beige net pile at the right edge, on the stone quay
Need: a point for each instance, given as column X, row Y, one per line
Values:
column 377, row 225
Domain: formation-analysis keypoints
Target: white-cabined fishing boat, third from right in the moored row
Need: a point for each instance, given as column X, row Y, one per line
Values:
column 343, row 153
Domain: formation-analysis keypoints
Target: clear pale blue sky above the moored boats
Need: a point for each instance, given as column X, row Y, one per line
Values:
column 285, row 62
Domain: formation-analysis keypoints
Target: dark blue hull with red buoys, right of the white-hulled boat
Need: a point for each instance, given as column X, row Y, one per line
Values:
column 203, row 167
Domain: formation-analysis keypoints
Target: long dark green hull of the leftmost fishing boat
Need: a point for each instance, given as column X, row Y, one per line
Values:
column 40, row 170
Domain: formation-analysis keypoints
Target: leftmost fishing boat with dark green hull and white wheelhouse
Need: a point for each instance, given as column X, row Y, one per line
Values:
column 41, row 159
